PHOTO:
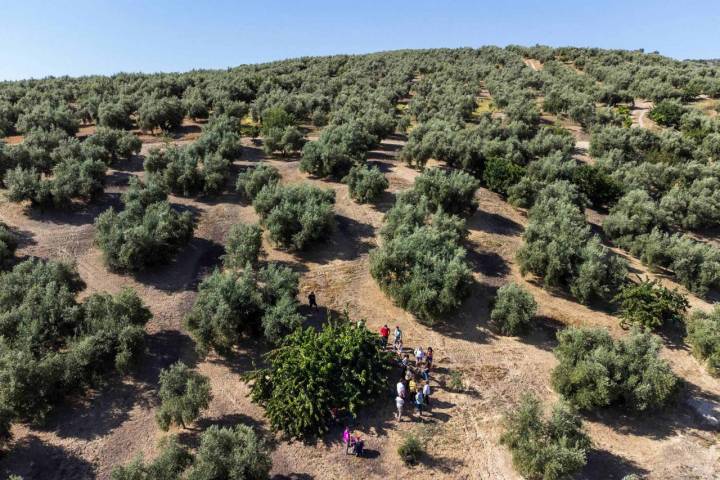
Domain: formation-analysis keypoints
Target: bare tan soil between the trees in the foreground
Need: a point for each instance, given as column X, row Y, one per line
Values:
column 85, row 439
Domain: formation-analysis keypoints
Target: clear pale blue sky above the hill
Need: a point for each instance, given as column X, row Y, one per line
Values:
column 56, row 37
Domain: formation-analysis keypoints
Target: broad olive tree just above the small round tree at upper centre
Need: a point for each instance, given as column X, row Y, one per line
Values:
column 338, row 148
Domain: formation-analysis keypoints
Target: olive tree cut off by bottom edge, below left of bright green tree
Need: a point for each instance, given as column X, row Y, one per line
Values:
column 230, row 453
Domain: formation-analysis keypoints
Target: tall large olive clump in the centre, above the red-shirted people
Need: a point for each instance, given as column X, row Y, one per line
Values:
column 421, row 263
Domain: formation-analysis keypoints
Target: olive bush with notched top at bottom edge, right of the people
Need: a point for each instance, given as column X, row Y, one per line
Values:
column 550, row 448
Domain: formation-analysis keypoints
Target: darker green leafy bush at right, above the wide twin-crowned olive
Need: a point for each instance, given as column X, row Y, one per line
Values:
column 650, row 305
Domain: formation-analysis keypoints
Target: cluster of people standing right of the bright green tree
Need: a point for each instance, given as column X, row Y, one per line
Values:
column 414, row 384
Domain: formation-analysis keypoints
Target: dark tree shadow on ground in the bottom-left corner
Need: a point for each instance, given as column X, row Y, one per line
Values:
column 30, row 458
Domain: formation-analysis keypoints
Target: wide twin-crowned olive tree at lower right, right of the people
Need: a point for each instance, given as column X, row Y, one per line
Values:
column 596, row 371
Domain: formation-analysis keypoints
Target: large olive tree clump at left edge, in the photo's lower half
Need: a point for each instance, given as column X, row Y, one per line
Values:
column 55, row 346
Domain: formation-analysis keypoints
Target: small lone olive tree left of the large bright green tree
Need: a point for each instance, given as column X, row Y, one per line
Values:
column 183, row 394
